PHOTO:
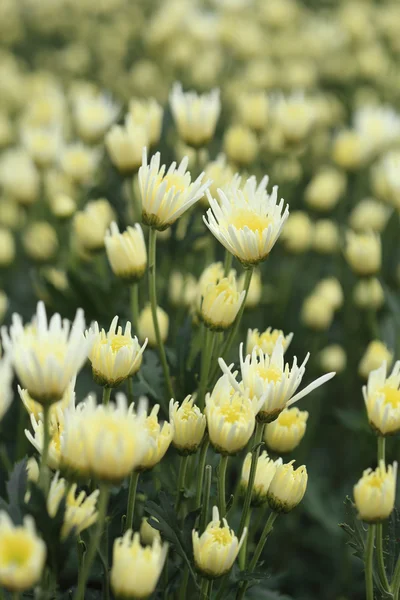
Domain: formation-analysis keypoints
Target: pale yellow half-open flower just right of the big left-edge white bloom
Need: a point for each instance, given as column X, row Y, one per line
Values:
column 114, row 355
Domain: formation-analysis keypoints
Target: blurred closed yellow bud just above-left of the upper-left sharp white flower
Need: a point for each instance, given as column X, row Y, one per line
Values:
column 125, row 145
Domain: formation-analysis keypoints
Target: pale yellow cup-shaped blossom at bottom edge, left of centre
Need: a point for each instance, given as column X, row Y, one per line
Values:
column 136, row 569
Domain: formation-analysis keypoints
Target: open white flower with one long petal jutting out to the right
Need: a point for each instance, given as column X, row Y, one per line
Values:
column 272, row 382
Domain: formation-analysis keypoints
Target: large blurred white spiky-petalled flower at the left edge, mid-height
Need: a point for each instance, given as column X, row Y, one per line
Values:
column 47, row 355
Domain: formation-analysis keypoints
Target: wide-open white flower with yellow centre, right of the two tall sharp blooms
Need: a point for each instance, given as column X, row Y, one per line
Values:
column 247, row 222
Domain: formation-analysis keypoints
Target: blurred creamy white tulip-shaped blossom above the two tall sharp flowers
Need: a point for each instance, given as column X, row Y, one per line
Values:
column 195, row 115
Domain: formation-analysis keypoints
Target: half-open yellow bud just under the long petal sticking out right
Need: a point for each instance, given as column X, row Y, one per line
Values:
column 286, row 433
